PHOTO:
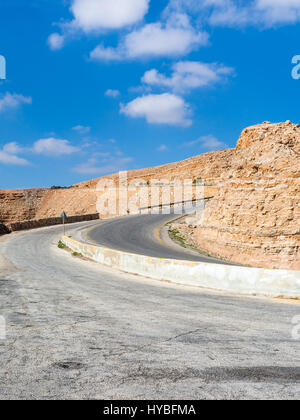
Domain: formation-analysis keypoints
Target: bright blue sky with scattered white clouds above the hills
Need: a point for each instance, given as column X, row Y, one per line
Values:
column 97, row 86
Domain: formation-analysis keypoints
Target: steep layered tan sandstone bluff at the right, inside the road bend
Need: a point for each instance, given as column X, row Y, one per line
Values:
column 254, row 218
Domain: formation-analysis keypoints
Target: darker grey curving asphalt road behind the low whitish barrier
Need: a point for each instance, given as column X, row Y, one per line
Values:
column 141, row 234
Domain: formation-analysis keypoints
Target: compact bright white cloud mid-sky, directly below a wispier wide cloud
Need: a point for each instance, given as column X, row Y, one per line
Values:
column 159, row 109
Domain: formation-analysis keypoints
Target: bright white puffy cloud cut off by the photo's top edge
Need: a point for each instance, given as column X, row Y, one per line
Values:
column 96, row 15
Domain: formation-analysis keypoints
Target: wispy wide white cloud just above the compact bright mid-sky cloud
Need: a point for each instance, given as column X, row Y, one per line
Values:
column 188, row 75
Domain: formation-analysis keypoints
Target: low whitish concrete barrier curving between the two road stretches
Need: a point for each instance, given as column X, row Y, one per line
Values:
column 243, row 280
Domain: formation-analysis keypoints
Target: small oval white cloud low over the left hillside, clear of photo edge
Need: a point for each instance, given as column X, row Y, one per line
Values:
column 54, row 147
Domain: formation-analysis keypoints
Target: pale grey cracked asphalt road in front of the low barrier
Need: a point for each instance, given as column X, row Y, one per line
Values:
column 76, row 329
